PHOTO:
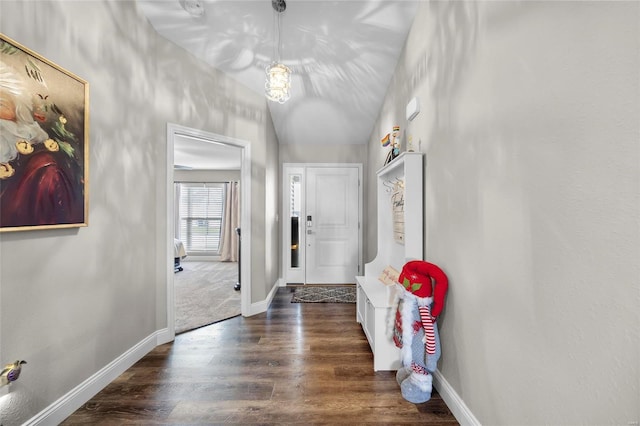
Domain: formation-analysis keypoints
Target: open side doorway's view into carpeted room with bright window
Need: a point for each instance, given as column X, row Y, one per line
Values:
column 207, row 217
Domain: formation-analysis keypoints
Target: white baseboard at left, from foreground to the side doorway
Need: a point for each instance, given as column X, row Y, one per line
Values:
column 59, row 410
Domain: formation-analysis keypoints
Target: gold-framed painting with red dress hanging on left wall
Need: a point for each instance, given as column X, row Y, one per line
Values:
column 44, row 142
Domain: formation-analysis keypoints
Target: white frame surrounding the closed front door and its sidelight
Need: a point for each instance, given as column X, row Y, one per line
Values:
column 289, row 168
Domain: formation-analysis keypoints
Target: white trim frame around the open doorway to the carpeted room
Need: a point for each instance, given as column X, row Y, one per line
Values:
column 174, row 130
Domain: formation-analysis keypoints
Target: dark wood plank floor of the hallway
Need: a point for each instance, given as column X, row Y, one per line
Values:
column 304, row 363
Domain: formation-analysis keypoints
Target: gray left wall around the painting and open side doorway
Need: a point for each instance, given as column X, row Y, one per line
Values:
column 74, row 300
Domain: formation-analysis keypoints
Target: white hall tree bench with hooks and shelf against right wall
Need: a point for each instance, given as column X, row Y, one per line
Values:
column 400, row 239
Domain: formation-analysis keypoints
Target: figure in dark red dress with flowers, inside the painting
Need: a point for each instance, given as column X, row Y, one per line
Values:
column 40, row 176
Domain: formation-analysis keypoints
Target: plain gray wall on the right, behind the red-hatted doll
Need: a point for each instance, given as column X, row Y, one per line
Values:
column 530, row 127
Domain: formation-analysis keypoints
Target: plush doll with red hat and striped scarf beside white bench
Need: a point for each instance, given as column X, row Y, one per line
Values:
column 422, row 290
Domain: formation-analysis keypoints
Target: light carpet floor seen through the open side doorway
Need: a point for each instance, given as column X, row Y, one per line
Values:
column 204, row 294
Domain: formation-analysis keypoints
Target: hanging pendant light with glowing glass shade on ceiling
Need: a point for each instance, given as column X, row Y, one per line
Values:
column 278, row 81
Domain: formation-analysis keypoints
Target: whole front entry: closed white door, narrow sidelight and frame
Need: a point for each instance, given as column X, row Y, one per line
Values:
column 322, row 232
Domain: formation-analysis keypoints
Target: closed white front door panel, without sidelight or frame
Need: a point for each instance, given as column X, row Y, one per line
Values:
column 331, row 225
